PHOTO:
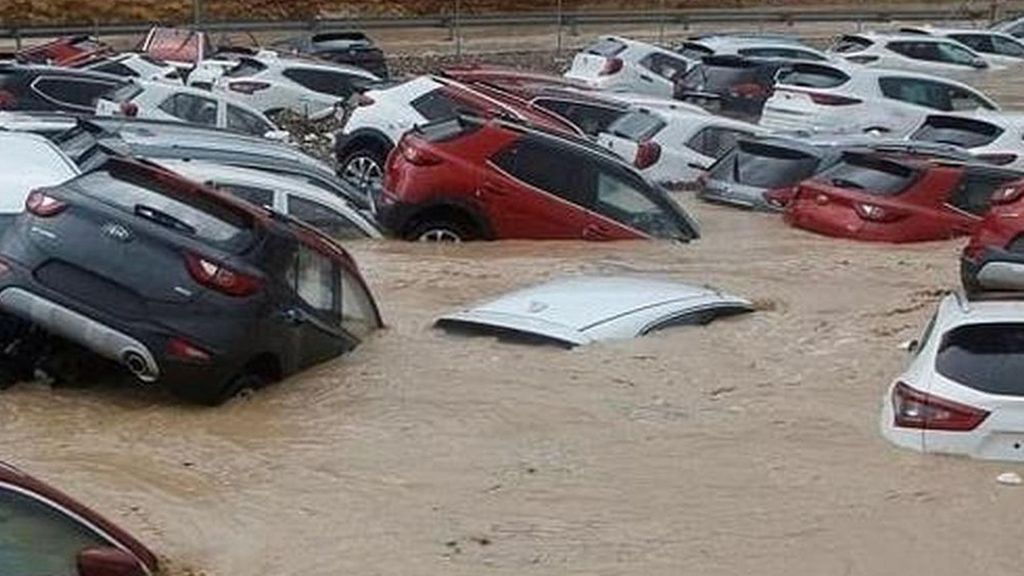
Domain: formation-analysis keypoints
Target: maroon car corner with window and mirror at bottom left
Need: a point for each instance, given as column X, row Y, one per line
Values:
column 46, row 532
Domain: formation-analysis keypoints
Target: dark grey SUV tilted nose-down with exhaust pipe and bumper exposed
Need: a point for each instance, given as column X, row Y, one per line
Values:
column 182, row 285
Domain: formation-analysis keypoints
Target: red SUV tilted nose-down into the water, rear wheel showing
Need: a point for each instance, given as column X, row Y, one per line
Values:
column 472, row 179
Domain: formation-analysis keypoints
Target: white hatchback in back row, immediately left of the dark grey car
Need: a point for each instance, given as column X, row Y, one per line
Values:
column 628, row 66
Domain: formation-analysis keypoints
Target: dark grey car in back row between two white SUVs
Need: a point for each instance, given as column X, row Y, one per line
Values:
column 731, row 86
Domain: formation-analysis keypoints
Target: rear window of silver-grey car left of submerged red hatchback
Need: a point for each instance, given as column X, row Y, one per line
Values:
column 764, row 166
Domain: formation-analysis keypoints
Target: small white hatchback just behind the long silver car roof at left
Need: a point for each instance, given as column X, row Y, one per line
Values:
column 158, row 101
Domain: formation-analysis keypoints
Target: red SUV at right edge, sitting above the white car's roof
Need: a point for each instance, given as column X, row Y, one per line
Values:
column 995, row 258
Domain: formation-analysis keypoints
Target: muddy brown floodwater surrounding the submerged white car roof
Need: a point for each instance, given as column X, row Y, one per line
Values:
column 750, row 446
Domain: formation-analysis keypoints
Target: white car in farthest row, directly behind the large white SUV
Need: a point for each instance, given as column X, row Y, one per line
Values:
column 915, row 53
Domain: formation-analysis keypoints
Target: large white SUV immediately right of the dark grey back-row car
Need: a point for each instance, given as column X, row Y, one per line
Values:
column 818, row 98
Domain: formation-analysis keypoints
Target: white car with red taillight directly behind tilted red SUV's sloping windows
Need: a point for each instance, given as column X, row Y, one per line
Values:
column 674, row 147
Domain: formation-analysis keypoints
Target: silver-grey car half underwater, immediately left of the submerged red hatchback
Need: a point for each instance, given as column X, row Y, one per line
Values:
column 761, row 174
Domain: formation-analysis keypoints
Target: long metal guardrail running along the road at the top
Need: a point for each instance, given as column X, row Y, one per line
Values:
column 563, row 20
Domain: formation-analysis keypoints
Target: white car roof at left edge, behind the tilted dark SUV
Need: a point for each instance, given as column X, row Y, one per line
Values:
column 30, row 161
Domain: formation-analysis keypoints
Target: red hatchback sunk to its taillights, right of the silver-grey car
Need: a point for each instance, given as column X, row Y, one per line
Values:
column 887, row 198
